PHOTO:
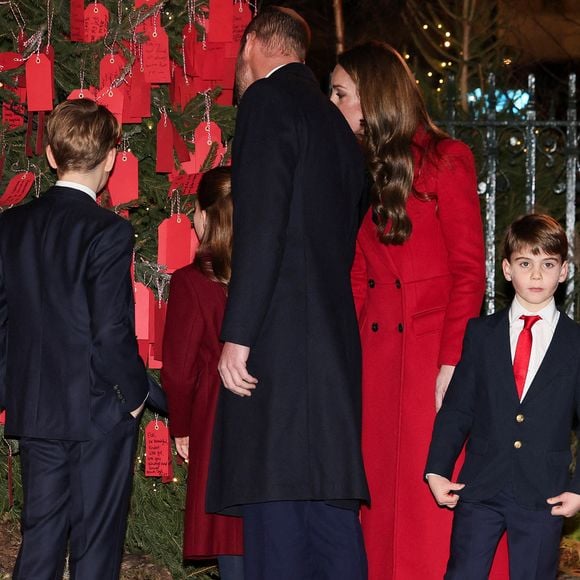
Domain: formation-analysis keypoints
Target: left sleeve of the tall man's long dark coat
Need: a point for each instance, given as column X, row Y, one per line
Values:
column 265, row 156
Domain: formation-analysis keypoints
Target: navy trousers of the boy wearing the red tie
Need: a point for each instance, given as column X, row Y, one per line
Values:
column 533, row 539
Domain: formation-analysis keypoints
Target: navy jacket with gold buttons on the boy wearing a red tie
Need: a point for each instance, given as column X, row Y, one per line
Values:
column 524, row 444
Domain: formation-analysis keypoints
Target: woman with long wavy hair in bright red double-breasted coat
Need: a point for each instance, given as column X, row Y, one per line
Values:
column 418, row 276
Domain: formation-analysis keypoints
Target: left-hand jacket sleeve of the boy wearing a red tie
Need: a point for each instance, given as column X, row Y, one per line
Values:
column 454, row 420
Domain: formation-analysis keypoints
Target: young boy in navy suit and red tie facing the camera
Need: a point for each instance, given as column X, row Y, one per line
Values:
column 514, row 397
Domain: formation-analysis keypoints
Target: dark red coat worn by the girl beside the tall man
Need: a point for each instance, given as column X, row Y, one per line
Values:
column 191, row 349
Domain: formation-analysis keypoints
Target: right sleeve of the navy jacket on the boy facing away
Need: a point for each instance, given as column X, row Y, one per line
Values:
column 115, row 357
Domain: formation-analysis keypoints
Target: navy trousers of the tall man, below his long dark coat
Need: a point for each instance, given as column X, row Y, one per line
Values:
column 302, row 540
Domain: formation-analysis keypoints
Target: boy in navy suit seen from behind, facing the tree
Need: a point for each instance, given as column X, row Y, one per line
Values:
column 71, row 379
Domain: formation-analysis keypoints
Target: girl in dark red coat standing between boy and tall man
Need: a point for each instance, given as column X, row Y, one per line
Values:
column 191, row 350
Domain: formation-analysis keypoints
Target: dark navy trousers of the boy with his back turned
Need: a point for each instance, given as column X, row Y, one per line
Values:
column 76, row 495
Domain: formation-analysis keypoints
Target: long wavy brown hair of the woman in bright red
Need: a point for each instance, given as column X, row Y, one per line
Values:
column 393, row 109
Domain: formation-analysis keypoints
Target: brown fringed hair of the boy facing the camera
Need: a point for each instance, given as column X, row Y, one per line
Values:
column 540, row 233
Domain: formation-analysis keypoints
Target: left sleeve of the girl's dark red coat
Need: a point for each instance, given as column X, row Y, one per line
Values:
column 184, row 329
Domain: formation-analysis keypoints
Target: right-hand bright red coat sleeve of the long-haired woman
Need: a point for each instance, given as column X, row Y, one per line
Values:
column 460, row 218
